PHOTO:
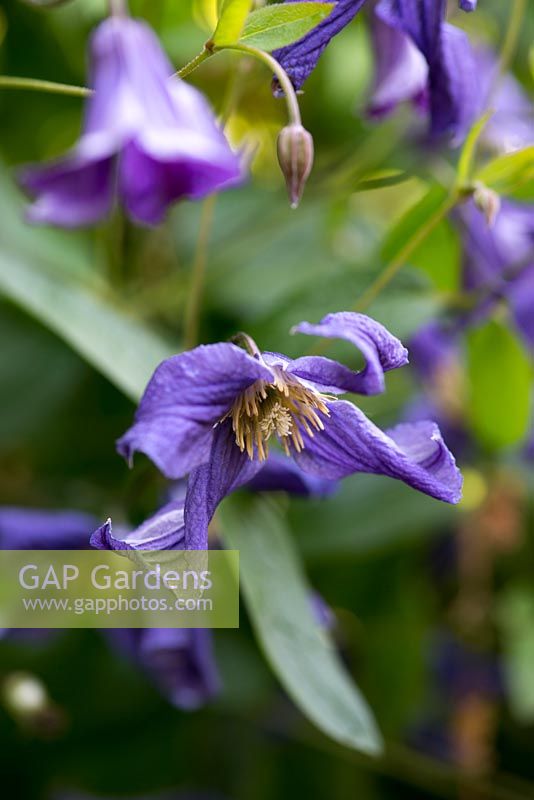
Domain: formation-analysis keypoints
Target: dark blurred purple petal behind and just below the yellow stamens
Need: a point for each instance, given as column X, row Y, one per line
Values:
column 282, row 474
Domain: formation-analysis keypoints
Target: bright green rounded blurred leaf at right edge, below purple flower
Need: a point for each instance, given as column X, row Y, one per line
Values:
column 500, row 378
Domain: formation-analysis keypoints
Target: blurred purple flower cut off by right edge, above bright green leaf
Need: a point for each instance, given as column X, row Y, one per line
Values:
column 499, row 262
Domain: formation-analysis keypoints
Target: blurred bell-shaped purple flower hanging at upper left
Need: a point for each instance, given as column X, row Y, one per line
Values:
column 149, row 138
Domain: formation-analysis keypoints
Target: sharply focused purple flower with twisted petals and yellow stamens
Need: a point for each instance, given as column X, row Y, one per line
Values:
column 213, row 411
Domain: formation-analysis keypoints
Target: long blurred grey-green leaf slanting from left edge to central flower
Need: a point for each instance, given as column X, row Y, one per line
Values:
column 46, row 274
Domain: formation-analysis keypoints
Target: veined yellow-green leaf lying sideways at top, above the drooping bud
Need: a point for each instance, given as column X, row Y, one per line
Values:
column 279, row 25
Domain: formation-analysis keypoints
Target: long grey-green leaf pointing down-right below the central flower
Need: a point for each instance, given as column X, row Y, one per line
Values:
column 300, row 652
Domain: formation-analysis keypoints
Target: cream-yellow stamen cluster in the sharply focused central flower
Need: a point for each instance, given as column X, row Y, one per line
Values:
column 280, row 409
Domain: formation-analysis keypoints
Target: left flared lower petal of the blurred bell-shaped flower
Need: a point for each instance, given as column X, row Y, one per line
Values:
column 72, row 192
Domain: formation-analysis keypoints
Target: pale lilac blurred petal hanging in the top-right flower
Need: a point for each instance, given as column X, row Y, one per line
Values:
column 401, row 72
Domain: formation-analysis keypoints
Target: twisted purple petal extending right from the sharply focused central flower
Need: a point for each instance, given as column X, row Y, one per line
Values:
column 414, row 453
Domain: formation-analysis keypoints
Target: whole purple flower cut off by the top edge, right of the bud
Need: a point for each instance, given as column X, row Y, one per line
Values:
column 419, row 57
